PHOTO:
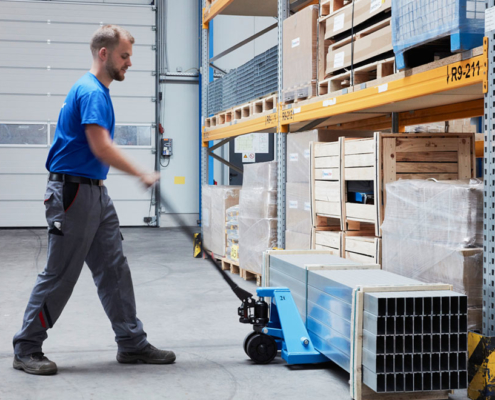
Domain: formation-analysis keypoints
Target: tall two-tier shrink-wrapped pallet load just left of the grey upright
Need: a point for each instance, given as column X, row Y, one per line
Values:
column 258, row 214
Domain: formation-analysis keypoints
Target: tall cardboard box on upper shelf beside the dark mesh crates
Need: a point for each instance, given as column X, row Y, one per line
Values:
column 299, row 48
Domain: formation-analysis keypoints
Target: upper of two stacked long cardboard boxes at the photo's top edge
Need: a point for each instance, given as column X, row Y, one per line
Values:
column 341, row 21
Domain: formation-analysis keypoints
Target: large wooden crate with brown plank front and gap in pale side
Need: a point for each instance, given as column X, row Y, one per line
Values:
column 389, row 157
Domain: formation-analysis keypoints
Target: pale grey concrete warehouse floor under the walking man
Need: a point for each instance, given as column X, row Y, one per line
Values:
column 185, row 306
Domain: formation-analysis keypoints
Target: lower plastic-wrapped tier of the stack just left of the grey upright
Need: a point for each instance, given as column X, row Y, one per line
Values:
column 256, row 236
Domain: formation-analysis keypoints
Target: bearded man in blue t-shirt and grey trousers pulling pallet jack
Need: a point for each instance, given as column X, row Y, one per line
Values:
column 82, row 222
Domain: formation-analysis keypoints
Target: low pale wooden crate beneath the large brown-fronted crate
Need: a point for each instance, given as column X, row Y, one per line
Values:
column 362, row 247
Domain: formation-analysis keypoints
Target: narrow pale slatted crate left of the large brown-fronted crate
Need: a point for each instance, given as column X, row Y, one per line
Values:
column 326, row 179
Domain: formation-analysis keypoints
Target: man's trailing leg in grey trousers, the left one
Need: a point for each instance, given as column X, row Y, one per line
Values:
column 72, row 213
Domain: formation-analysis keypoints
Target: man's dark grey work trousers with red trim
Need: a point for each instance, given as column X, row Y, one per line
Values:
column 82, row 226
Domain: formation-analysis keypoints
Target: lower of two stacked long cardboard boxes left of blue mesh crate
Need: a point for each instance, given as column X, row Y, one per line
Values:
column 370, row 43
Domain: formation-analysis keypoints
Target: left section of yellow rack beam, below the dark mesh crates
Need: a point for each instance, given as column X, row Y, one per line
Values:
column 260, row 124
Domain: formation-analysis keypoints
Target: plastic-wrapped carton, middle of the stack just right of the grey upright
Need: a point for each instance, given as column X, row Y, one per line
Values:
column 298, row 208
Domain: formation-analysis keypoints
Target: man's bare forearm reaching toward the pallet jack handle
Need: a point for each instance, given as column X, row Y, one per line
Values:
column 107, row 152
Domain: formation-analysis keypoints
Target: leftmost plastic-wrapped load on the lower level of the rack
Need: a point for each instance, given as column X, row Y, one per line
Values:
column 216, row 201
